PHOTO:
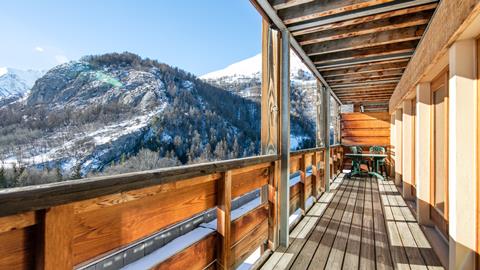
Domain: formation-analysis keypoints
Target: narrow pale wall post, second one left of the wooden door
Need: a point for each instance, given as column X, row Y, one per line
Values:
column 407, row 151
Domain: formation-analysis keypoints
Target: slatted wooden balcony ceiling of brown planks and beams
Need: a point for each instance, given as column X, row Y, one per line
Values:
column 361, row 48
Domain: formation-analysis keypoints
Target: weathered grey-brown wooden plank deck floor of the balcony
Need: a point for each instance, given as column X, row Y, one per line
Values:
column 361, row 223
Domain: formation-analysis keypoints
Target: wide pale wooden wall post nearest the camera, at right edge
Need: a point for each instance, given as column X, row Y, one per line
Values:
column 462, row 157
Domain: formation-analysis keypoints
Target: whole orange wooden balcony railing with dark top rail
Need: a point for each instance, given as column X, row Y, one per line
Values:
column 71, row 224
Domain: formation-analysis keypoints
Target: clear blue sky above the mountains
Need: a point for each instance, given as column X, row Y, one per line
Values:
column 196, row 35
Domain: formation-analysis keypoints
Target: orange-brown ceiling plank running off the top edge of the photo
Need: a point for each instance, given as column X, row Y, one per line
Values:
column 318, row 9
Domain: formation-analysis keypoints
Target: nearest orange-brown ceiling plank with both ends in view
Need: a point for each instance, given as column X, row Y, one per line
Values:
column 369, row 27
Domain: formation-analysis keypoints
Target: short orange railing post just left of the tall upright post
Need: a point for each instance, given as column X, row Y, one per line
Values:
column 224, row 222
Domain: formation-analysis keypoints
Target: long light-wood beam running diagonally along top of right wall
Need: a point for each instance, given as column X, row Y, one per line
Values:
column 451, row 18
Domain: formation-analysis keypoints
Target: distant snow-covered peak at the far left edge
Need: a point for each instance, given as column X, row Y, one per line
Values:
column 15, row 83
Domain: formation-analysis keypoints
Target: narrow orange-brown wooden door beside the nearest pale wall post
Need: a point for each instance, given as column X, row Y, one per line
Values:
column 439, row 181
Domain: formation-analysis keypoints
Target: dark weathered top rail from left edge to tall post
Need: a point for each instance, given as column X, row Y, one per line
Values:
column 21, row 199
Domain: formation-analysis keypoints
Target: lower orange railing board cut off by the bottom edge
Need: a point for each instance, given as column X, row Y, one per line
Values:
column 197, row 256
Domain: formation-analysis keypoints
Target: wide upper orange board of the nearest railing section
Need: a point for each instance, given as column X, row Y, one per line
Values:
column 107, row 228
